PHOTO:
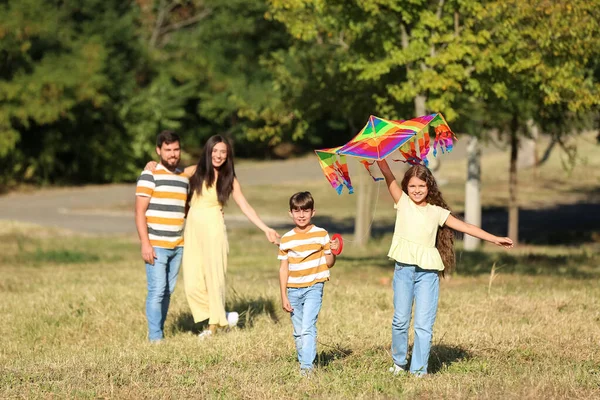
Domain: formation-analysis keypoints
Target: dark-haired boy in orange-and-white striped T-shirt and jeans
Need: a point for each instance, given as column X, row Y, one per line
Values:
column 305, row 254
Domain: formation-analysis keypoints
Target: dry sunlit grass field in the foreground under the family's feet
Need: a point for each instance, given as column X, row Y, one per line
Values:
column 76, row 327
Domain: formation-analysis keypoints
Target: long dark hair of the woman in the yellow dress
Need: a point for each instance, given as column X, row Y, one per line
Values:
column 205, row 173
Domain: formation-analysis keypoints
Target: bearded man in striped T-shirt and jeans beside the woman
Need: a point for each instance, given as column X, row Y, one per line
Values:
column 160, row 206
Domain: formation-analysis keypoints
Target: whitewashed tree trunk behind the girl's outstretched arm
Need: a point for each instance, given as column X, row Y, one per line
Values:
column 473, row 192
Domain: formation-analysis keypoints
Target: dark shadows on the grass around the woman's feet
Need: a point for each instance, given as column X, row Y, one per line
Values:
column 248, row 310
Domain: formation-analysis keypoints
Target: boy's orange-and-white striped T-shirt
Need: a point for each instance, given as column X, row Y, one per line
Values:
column 305, row 253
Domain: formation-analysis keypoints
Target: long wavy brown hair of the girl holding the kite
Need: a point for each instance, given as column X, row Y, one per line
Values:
column 445, row 237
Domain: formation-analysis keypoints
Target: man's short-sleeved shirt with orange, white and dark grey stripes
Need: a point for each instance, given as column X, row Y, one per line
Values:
column 165, row 216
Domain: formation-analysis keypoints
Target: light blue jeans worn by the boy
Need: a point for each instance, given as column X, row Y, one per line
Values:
column 306, row 303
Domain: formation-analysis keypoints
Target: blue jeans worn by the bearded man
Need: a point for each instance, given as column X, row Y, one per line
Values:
column 162, row 277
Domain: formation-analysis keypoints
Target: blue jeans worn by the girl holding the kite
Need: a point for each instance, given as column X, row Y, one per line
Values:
column 423, row 286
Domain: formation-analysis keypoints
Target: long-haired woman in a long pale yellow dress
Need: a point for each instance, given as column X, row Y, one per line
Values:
column 212, row 182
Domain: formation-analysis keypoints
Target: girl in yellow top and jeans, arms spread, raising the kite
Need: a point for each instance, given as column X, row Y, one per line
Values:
column 423, row 249
